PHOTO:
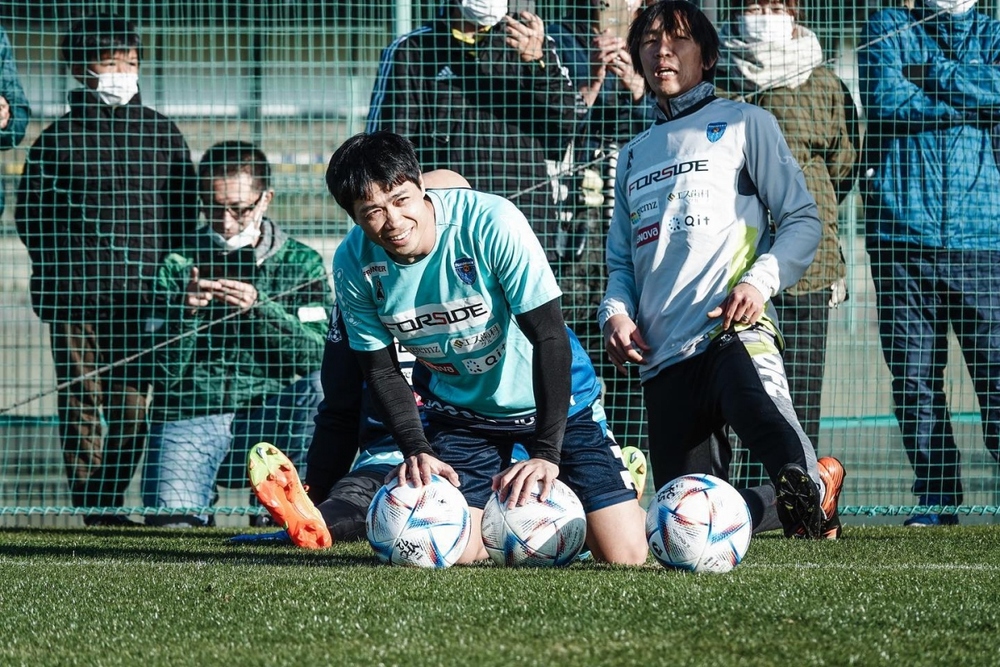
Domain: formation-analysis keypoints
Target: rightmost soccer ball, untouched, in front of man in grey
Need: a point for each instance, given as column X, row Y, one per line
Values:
column 698, row 523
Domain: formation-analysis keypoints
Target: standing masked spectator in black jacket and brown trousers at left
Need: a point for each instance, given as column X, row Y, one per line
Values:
column 107, row 189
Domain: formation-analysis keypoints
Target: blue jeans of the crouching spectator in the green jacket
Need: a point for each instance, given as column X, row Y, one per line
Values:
column 187, row 458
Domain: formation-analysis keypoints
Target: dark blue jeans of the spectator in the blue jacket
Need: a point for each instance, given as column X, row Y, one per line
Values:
column 919, row 293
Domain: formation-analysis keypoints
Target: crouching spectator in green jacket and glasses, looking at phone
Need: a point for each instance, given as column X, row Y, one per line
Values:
column 242, row 308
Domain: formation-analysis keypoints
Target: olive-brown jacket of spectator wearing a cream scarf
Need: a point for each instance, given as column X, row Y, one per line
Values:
column 812, row 119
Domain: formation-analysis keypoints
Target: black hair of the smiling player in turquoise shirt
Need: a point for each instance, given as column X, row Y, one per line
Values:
column 384, row 159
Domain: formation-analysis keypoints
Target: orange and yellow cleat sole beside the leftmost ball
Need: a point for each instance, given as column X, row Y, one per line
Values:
column 277, row 486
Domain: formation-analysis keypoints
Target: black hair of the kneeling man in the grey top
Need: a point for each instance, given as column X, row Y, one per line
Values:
column 678, row 17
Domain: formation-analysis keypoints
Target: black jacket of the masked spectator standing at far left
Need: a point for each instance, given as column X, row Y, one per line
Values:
column 106, row 192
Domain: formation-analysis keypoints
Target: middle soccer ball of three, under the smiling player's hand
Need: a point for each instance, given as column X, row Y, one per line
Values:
column 536, row 534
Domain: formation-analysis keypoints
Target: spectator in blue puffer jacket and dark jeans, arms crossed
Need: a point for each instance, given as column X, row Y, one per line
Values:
column 930, row 86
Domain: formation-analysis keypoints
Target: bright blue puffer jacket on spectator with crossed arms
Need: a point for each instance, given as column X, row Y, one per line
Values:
column 932, row 175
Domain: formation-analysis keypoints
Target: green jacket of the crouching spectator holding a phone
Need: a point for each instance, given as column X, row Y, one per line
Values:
column 239, row 362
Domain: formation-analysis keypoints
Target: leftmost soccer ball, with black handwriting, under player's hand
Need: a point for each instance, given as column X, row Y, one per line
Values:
column 425, row 527
